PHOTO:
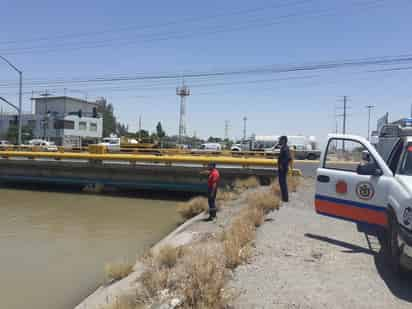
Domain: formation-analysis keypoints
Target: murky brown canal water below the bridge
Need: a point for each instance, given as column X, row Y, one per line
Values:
column 54, row 246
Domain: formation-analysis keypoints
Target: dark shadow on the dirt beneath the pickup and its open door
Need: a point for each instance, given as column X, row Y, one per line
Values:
column 400, row 287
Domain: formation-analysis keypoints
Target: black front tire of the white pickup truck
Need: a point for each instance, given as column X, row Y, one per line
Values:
column 393, row 249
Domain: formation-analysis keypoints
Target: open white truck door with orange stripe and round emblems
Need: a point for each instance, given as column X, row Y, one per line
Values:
column 352, row 182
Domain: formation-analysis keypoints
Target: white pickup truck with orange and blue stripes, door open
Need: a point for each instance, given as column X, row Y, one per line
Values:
column 355, row 183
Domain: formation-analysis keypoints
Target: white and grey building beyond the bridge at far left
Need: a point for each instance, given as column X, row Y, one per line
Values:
column 64, row 120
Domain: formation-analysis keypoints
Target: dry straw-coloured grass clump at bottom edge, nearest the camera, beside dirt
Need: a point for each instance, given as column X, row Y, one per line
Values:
column 205, row 280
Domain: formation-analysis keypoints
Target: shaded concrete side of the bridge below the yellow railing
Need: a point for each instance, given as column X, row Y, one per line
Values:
column 124, row 175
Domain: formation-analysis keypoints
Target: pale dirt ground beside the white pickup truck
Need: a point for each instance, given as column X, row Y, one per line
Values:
column 303, row 260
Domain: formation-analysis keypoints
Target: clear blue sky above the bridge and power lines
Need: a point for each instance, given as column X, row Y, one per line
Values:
column 51, row 40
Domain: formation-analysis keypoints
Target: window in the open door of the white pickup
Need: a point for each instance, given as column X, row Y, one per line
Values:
column 346, row 155
